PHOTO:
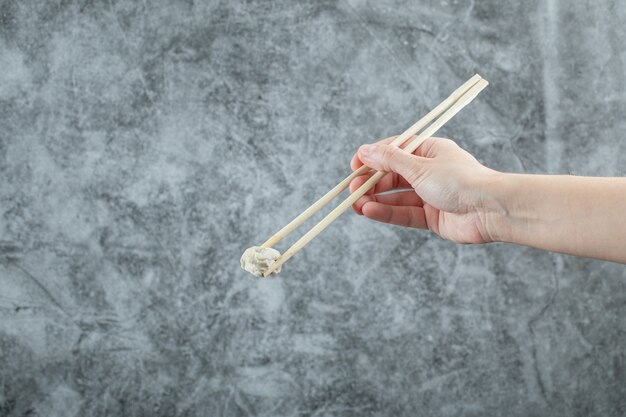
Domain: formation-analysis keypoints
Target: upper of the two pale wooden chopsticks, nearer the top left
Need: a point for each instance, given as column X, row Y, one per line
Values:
column 329, row 196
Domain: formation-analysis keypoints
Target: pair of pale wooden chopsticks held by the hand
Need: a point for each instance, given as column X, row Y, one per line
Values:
column 447, row 109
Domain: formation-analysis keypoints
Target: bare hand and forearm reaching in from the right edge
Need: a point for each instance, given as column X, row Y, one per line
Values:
column 443, row 188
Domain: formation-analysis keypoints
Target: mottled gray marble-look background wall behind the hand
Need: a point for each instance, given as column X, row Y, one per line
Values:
column 145, row 144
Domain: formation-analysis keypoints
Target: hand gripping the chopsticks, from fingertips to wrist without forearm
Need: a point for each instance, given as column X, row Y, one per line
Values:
column 443, row 189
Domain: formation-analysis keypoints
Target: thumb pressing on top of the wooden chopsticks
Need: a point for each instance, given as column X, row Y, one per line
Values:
column 389, row 158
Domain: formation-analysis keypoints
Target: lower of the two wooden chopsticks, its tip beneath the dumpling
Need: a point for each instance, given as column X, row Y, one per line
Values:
column 463, row 101
